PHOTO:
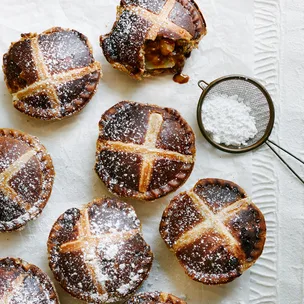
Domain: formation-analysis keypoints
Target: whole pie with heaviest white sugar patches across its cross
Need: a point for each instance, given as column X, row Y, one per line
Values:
column 98, row 253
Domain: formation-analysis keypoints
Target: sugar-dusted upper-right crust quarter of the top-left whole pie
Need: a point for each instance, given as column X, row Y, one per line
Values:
column 64, row 50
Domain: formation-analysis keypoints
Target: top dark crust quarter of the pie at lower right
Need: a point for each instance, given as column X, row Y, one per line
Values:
column 218, row 194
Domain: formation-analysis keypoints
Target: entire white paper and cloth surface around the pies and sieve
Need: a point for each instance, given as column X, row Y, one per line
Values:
column 262, row 38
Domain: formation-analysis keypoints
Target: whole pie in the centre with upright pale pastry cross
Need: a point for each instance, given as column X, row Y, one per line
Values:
column 144, row 151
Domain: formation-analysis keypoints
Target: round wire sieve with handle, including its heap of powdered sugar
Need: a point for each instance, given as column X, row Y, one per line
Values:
column 236, row 115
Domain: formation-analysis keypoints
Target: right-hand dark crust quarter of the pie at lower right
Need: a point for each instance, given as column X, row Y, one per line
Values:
column 249, row 228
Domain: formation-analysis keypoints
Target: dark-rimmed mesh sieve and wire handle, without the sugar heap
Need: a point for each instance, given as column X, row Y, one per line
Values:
column 253, row 95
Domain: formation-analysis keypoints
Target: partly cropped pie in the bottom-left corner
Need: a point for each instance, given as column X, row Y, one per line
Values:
column 21, row 282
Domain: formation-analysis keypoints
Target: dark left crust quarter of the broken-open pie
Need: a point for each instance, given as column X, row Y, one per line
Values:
column 124, row 43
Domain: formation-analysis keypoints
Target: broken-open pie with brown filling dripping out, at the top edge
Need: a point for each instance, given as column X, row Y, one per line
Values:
column 152, row 37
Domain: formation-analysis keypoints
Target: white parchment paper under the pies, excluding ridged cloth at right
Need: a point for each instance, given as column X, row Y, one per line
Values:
column 228, row 48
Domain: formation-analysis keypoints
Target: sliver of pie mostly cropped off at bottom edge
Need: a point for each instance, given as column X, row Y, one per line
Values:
column 155, row 298
